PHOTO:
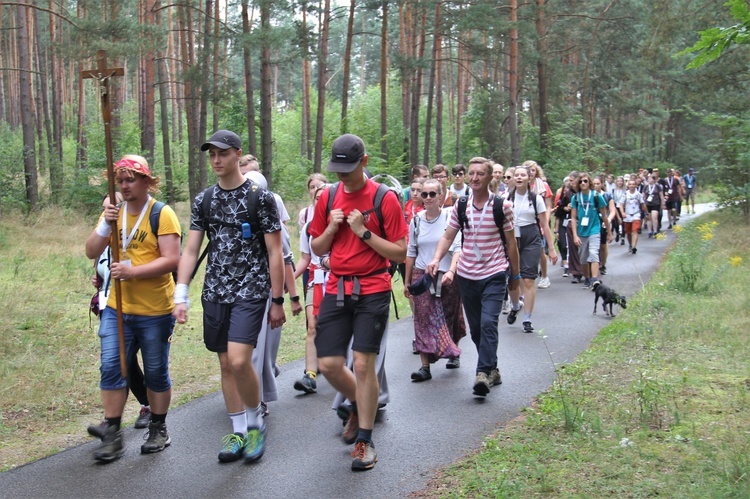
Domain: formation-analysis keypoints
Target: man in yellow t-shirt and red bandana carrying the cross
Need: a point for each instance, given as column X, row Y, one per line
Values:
column 146, row 262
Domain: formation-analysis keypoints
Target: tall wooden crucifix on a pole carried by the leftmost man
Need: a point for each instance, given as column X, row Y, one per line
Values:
column 102, row 75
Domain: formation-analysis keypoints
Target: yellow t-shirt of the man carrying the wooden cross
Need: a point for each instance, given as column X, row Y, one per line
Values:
column 153, row 296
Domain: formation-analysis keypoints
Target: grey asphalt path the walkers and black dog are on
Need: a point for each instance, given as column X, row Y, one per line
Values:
column 425, row 426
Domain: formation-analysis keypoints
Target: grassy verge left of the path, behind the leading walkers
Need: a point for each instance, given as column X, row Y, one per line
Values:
column 49, row 349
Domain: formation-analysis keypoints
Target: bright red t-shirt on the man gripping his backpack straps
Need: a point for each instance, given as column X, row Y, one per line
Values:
column 351, row 256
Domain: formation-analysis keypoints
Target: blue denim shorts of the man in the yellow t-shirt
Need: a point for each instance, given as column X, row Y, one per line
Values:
column 151, row 333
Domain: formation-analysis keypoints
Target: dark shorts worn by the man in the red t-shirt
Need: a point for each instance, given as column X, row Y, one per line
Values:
column 364, row 319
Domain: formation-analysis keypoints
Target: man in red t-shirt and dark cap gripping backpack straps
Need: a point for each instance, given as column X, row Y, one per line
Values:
column 357, row 300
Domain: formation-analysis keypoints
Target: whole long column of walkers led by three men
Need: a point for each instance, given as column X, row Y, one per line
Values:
column 469, row 252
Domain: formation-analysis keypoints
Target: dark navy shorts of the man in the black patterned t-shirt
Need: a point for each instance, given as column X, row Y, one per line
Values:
column 238, row 322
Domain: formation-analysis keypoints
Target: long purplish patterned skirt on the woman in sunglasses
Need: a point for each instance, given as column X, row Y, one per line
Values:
column 431, row 327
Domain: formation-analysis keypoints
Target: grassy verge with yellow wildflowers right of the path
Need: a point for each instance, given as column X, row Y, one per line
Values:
column 658, row 405
